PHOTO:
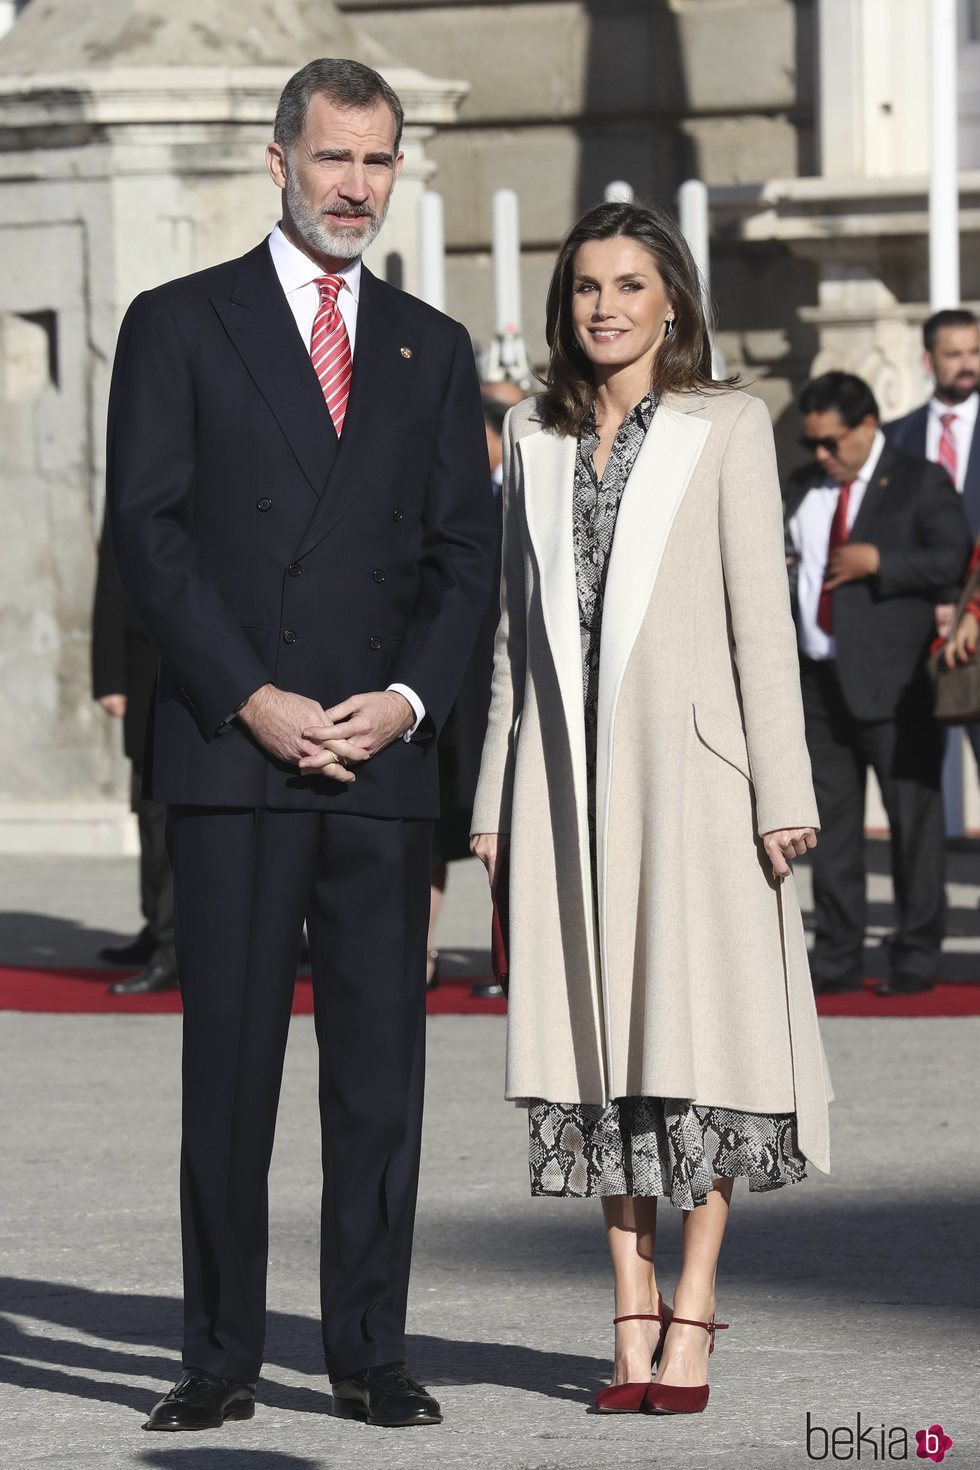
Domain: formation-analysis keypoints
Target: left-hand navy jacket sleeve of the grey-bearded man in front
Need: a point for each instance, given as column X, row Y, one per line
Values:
column 151, row 509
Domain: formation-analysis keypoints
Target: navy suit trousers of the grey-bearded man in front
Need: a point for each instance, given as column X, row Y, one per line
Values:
column 245, row 883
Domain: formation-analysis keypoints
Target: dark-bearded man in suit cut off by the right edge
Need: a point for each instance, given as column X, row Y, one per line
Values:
column 944, row 430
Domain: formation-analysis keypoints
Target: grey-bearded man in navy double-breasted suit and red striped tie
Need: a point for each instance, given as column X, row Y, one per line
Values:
column 298, row 499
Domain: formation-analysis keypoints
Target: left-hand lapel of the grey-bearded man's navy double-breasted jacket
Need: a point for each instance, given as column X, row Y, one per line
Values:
column 264, row 331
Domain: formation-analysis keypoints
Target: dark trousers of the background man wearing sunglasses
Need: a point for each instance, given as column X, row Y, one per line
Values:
column 906, row 755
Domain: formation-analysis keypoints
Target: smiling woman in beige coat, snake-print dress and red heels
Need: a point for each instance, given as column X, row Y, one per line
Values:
column 647, row 777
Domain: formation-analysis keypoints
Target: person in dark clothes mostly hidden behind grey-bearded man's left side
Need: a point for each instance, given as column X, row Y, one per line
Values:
column 124, row 674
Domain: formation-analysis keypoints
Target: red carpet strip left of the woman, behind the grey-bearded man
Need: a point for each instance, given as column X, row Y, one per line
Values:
column 84, row 993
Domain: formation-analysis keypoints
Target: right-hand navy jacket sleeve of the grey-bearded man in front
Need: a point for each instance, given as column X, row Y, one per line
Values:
column 459, row 549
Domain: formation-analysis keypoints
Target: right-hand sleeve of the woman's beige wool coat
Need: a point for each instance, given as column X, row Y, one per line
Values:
column 753, row 556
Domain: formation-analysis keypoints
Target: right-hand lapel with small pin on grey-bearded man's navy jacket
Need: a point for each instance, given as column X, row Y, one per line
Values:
column 380, row 386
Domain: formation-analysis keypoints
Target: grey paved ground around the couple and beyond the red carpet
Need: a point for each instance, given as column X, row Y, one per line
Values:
column 849, row 1296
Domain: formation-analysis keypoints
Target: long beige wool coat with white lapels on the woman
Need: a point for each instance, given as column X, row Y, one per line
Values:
column 693, row 980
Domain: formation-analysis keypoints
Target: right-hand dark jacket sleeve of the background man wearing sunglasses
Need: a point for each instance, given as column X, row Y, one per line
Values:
column 935, row 567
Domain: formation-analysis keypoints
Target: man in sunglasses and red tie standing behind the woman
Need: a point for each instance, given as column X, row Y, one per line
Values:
column 878, row 537
